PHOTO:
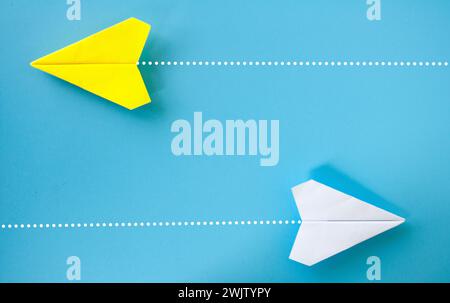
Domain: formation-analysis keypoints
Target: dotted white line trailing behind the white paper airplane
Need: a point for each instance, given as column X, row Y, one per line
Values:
column 143, row 224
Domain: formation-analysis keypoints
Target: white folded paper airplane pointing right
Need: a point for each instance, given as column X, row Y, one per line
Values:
column 333, row 222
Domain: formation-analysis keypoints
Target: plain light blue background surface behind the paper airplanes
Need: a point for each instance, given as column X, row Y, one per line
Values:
column 381, row 134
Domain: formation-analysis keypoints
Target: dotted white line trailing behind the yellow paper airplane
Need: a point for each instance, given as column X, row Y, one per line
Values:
column 331, row 63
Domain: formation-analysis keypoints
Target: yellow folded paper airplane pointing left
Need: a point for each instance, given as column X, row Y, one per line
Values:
column 104, row 63
